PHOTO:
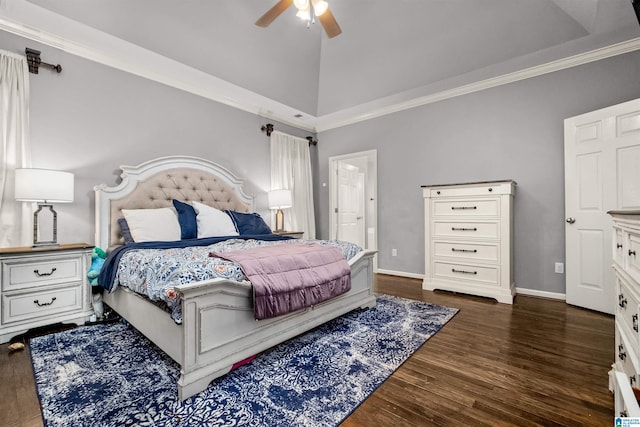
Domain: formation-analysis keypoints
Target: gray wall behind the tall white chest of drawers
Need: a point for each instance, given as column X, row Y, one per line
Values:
column 513, row 131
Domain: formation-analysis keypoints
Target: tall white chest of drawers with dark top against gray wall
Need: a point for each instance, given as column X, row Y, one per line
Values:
column 468, row 238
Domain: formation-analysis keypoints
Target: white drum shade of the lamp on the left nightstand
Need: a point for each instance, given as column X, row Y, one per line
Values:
column 39, row 185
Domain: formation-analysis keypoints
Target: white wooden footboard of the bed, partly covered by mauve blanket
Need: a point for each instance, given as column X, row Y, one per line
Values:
column 219, row 328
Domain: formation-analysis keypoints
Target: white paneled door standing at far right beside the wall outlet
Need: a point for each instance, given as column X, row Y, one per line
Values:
column 602, row 173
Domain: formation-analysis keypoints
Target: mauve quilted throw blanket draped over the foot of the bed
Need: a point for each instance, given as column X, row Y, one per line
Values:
column 287, row 278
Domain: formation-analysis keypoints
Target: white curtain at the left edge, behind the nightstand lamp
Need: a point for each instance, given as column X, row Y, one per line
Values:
column 15, row 217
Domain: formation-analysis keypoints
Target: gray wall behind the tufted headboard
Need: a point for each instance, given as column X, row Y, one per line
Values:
column 90, row 119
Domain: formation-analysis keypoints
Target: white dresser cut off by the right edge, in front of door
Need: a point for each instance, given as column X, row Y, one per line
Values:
column 626, row 264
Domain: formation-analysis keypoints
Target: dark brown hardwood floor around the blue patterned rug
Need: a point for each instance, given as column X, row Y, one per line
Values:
column 537, row 362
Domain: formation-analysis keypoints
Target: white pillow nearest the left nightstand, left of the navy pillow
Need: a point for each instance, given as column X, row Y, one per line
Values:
column 151, row 225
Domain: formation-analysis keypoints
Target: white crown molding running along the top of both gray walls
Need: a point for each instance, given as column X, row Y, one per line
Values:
column 35, row 23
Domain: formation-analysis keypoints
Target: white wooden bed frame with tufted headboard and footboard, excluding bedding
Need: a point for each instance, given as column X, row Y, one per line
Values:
column 218, row 328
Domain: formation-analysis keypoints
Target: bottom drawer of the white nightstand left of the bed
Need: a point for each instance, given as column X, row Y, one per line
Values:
column 19, row 307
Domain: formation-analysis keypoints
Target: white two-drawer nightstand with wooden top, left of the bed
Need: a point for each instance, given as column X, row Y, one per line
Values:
column 43, row 286
